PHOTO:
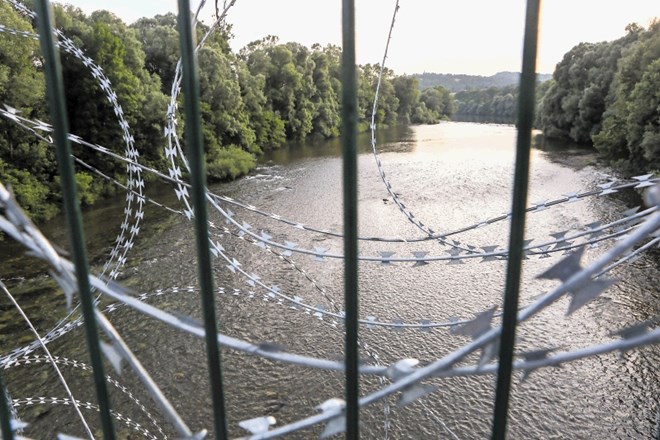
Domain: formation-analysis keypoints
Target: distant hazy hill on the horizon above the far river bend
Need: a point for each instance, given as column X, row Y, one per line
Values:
column 457, row 83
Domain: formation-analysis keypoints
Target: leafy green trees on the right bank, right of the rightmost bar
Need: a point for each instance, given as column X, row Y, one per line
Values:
column 608, row 94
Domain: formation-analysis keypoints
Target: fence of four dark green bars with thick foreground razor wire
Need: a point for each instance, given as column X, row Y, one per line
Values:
column 339, row 415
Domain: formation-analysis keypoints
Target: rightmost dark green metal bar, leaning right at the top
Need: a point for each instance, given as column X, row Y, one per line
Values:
column 521, row 183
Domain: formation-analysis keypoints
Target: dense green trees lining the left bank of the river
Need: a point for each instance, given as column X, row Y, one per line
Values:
column 254, row 100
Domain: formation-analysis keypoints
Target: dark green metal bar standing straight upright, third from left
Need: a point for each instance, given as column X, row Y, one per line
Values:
column 349, row 152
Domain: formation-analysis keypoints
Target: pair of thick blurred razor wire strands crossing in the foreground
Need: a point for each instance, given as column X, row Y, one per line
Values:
column 577, row 282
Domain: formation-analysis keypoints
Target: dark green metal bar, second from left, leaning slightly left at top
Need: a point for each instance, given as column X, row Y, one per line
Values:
column 195, row 148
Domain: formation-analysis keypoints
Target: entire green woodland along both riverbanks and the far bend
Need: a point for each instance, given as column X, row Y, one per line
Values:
column 606, row 94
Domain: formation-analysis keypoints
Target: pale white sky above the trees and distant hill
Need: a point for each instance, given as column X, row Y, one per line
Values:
column 479, row 37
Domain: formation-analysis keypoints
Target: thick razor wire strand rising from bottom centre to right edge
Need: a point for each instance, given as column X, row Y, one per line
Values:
column 576, row 281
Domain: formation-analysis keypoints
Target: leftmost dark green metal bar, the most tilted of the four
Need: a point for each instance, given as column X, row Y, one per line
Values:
column 56, row 103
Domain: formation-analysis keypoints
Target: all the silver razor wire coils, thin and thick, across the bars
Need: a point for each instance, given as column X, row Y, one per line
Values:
column 582, row 285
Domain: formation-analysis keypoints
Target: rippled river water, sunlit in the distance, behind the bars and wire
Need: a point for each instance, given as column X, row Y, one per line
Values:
column 450, row 175
